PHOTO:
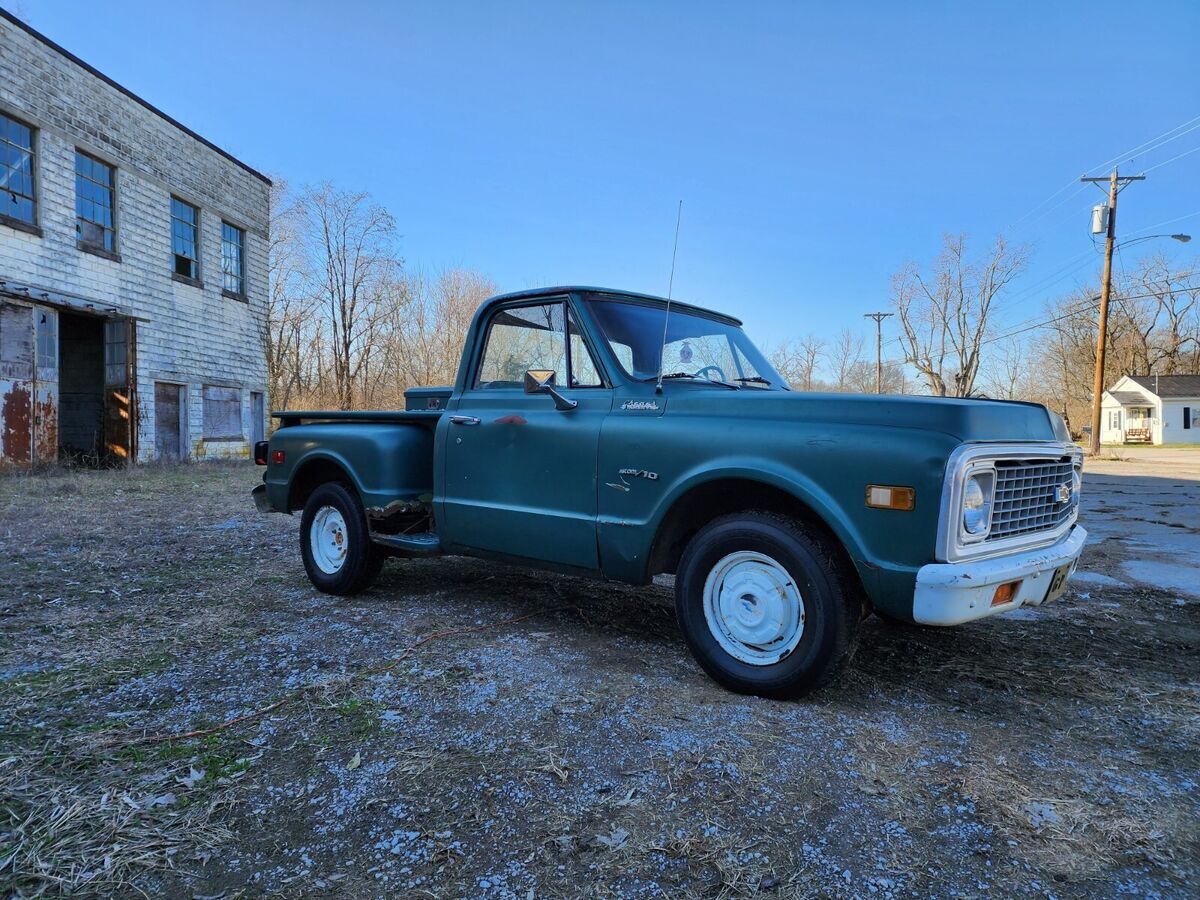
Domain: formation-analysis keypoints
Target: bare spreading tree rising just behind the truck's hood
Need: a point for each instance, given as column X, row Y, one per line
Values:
column 945, row 315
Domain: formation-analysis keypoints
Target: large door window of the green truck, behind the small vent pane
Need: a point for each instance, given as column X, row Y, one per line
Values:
column 524, row 338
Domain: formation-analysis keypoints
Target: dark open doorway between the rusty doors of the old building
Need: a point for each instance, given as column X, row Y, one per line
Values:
column 81, row 387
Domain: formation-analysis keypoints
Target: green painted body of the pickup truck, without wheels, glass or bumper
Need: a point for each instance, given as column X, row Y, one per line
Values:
column 592, row 490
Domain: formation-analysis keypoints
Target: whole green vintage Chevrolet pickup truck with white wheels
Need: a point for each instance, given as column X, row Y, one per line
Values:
column 623, row 436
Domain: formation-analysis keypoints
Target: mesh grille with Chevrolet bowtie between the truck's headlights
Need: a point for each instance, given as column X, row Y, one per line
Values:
column 1027, row 499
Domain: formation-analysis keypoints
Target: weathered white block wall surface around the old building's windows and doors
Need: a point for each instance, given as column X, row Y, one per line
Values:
column 191, row 335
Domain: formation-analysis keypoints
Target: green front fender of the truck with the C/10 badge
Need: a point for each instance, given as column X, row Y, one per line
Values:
column 826, row 470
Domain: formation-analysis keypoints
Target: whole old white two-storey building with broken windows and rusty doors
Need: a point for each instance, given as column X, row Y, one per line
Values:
column 133, row 272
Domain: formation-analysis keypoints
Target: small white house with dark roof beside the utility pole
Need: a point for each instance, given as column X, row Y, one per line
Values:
column 1153, row 410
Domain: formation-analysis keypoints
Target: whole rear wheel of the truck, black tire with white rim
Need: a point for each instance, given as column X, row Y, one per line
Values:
column 335, row 543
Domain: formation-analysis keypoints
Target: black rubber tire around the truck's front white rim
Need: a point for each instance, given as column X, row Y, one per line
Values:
column 829, row 587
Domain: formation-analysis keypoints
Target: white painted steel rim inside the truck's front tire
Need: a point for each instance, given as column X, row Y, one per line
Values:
column 754, row 609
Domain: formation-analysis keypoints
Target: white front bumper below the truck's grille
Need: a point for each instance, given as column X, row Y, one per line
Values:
column 953, row 593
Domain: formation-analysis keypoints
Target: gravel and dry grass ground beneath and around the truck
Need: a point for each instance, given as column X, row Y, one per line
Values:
column 568, row 746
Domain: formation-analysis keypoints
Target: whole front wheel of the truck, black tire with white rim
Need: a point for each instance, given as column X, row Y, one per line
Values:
column 767, row 605
